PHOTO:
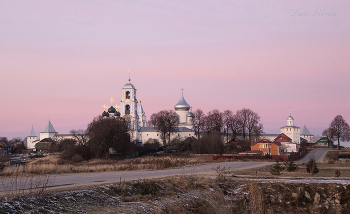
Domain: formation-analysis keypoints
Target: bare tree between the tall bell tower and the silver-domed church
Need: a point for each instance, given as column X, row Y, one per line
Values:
column 166, row 123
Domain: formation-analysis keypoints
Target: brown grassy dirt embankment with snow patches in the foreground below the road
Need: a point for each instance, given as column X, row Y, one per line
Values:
column 189, row 194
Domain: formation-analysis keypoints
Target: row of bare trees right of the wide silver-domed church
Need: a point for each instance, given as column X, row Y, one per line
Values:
column 244, row 122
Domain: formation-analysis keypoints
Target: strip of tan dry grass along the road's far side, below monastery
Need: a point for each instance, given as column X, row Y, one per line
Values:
column 54, row 164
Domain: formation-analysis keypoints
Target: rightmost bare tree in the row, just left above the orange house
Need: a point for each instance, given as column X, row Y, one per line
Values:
column 248, row 122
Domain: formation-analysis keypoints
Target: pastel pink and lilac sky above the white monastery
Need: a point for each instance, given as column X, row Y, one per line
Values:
column 64, row 60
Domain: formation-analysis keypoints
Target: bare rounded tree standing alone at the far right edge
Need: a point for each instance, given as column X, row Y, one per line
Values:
column 338, row 129
